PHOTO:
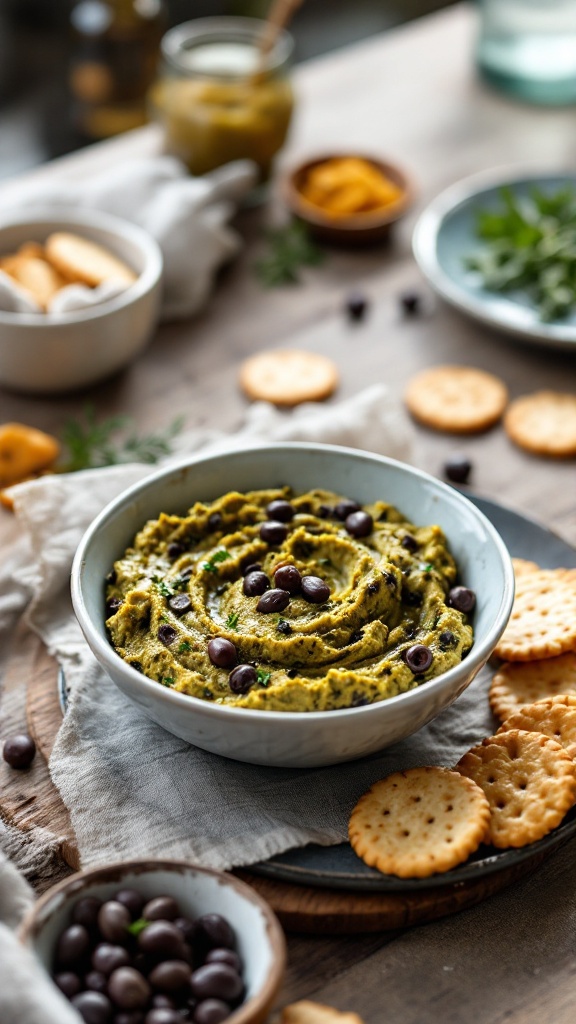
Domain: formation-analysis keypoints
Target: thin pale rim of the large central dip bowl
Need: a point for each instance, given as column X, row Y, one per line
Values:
column 108, row 656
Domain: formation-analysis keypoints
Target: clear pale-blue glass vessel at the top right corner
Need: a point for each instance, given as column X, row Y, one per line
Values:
column 528, row 49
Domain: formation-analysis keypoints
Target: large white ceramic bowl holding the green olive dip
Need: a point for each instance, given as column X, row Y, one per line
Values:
column 282, row 739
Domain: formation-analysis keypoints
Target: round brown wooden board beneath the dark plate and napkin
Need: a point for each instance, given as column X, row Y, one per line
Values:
column 30, row 799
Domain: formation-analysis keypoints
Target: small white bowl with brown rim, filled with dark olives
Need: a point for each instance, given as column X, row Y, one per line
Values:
column 159, row 943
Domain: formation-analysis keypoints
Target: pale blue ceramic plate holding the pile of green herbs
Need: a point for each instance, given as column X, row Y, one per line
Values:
column 445, row 235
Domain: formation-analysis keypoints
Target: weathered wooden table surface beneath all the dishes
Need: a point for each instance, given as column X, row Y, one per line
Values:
column 412, row 95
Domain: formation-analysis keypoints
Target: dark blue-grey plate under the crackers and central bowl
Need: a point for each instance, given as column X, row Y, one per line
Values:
column 338, row 867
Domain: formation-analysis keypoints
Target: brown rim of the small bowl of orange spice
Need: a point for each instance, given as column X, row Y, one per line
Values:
column 371, row 220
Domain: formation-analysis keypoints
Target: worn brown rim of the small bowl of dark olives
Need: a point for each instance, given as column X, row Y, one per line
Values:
column 30, row 927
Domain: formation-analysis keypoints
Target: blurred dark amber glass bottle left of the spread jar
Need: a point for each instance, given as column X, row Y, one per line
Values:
column 115, row 52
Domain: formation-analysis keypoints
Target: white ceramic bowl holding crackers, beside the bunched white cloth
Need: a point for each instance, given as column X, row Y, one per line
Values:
column 46, row 355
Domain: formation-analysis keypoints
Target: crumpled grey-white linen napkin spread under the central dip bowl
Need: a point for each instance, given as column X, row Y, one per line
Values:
column 134, row 789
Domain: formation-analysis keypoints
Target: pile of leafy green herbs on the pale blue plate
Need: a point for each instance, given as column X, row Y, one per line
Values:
column 531, row 248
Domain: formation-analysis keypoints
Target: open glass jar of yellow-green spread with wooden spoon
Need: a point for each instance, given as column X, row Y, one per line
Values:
column 218, row 99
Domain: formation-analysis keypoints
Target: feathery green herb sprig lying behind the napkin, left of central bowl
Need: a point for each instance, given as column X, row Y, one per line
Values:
column 92, row 444
